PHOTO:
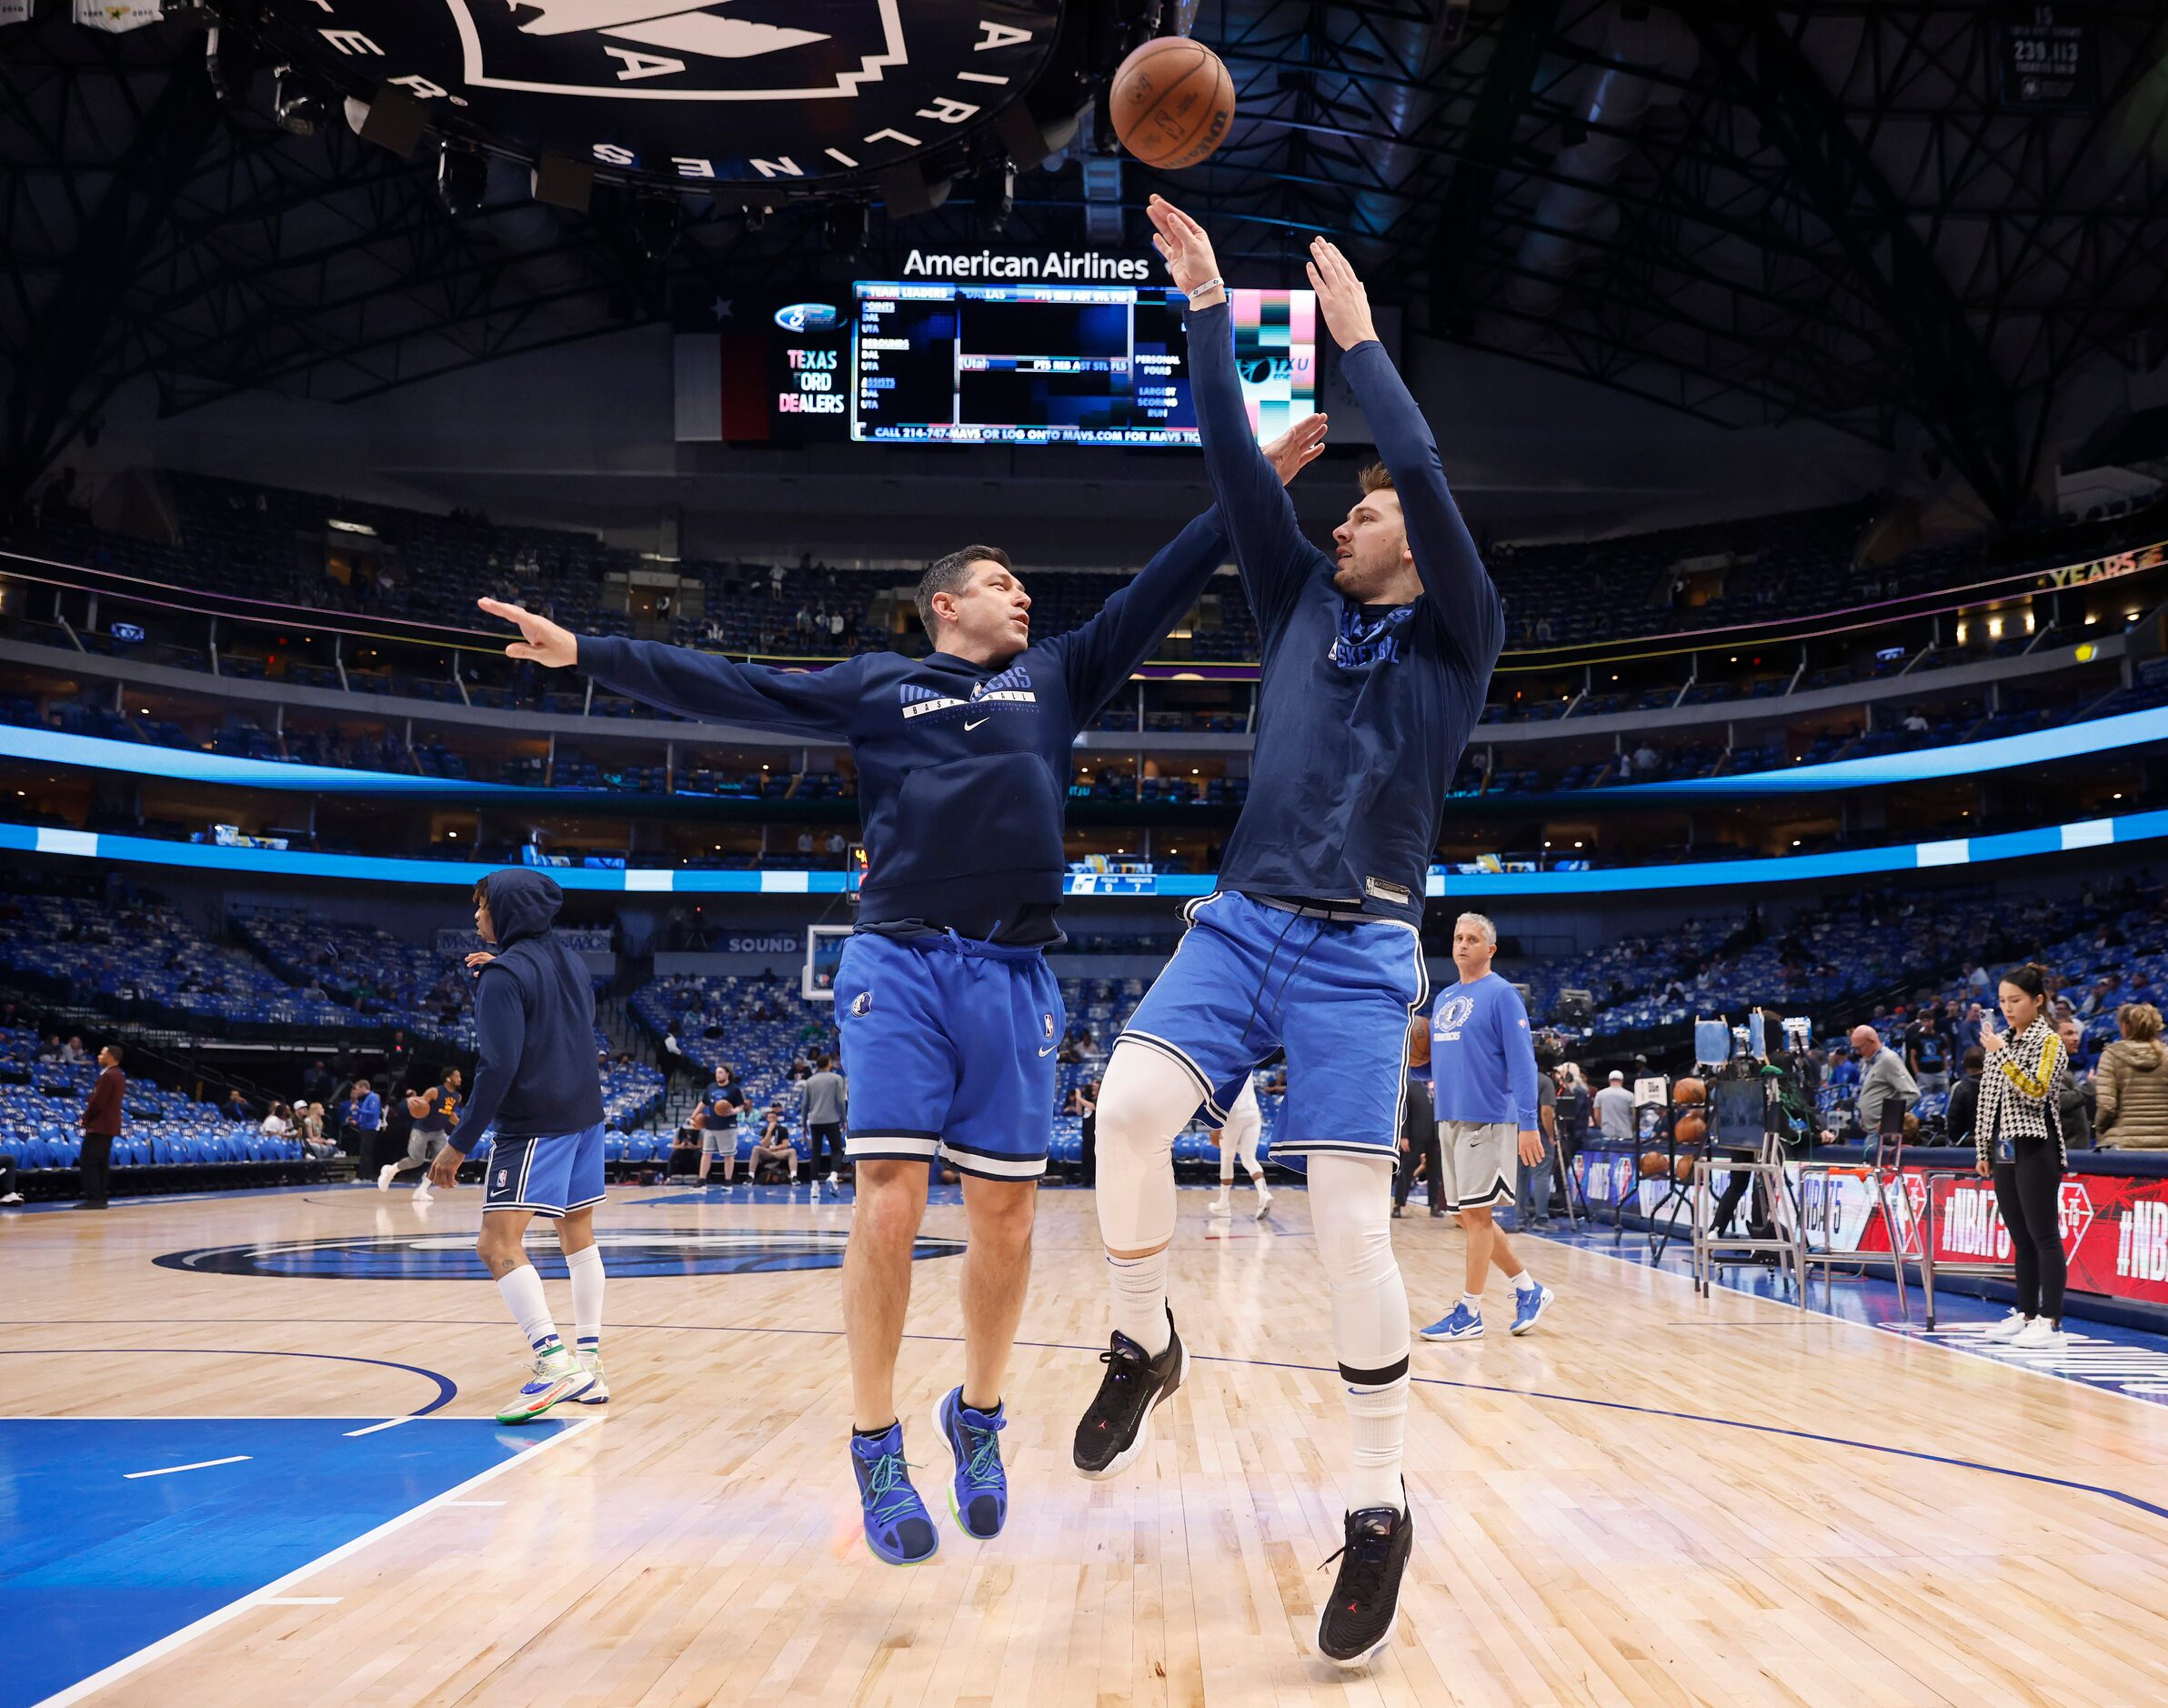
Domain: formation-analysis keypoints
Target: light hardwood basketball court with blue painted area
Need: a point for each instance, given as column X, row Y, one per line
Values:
column 1651, row 1501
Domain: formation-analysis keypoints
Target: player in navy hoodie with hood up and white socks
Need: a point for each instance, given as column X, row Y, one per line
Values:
column 537, row 1083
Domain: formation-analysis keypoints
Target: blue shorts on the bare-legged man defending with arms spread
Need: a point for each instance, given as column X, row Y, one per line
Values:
column 948, row 1048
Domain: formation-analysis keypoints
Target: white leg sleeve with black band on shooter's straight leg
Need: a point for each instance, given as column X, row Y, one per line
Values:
column 1352, row 1211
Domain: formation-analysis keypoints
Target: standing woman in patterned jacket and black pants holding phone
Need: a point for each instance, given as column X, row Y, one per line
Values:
column 2022, row 1150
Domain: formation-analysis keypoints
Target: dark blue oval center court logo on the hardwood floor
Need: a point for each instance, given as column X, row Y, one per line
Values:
column 628, row 1252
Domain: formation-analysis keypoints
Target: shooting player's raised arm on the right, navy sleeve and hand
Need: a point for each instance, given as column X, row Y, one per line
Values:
column 1445, row 552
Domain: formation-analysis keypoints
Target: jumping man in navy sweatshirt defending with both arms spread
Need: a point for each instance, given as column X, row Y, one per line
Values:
column 948, row 1009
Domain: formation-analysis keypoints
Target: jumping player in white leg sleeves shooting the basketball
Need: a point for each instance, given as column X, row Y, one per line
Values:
column 1376, row 664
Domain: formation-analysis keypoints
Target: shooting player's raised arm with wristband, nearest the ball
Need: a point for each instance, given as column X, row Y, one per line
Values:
column 1269, row 543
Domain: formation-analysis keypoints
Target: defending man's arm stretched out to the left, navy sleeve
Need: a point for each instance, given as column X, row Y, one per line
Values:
column 814, row 703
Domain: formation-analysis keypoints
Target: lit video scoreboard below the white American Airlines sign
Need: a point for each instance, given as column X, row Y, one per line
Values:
column 942, row 363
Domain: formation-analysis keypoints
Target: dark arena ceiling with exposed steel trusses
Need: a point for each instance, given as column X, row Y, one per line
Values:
column 1850, row 213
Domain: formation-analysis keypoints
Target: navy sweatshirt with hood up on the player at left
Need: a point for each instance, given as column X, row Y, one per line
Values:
column 534, row 1022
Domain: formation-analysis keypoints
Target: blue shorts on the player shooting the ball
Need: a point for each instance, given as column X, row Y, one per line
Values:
column 1334, row 994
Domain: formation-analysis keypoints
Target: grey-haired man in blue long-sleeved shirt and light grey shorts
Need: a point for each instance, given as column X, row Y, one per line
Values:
column 1488, row 1120
